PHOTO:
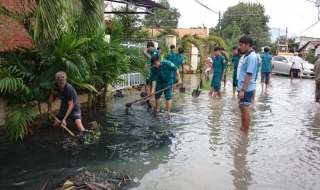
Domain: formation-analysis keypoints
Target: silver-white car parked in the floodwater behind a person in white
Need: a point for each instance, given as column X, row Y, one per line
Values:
column 282, row 65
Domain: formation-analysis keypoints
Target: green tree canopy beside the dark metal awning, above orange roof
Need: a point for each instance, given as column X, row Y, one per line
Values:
column 163, row 17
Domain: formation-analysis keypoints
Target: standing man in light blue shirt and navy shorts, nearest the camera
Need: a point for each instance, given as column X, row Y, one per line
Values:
column 246, row 81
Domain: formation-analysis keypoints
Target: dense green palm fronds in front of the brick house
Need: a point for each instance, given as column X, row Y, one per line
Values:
column 69, row 36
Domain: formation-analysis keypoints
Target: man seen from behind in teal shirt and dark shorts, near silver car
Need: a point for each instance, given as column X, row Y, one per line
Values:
column 266, row 61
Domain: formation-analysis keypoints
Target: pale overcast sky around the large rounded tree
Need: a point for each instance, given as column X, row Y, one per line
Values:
column 297, row 15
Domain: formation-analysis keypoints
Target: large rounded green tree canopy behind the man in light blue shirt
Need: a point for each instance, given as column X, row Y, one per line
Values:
column 250, row 18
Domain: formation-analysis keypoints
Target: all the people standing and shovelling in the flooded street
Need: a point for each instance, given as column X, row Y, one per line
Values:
column 164, row 75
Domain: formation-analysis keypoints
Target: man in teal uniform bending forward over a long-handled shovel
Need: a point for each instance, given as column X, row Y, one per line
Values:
column 161, row 77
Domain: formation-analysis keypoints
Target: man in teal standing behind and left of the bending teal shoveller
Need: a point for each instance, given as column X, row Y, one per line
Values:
column 151, row 50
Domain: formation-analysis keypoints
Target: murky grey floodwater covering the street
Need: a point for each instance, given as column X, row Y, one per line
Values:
column 281, row 151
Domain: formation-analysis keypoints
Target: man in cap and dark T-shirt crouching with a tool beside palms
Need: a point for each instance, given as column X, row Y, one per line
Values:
column 70, row 106
